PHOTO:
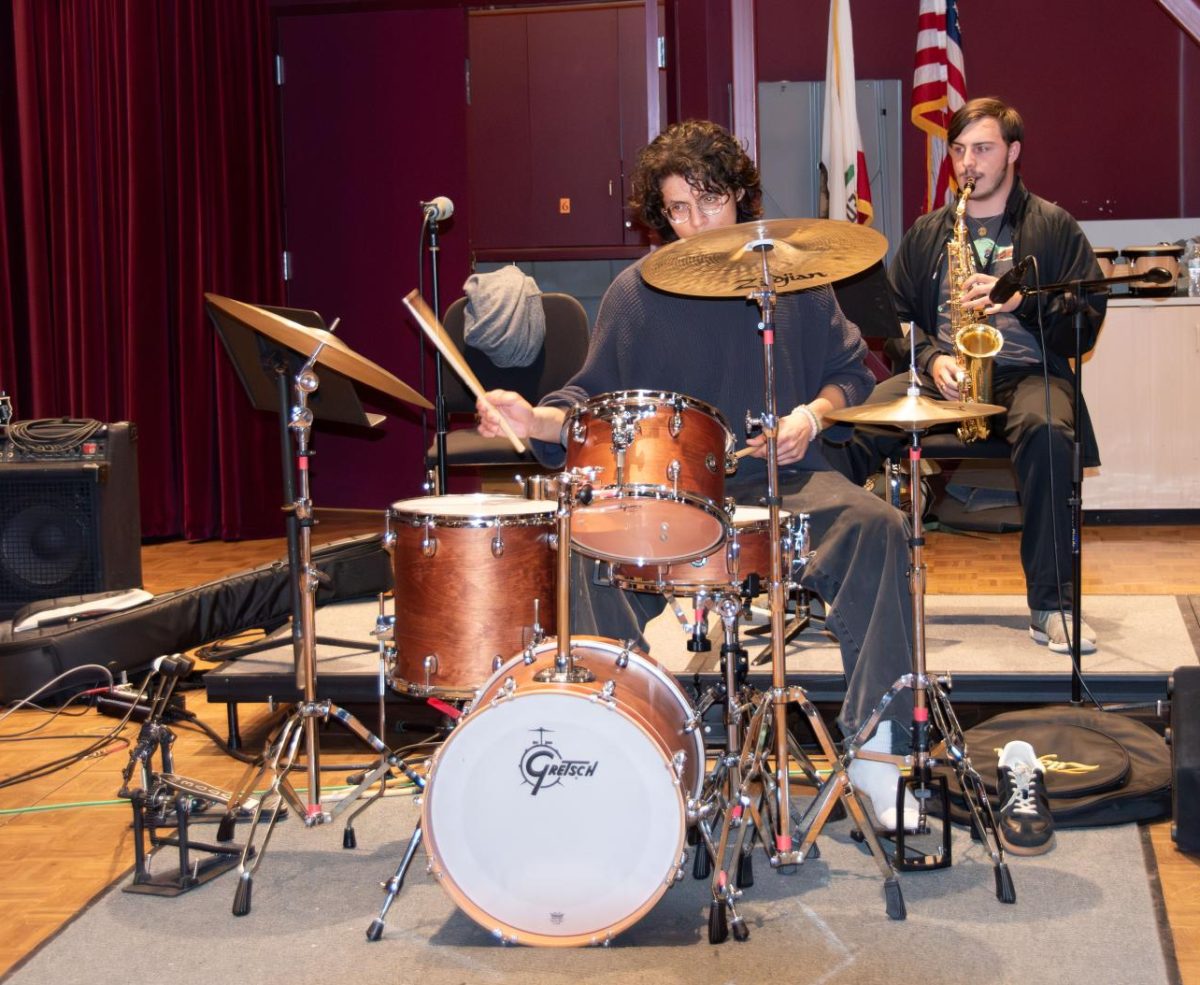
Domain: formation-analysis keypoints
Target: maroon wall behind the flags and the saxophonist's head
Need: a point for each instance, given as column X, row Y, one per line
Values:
column 1097, row 82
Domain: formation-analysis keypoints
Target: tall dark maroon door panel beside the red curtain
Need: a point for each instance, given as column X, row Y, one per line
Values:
column 374, row 123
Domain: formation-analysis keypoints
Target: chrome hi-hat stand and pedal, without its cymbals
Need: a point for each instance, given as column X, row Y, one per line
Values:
column 932, row 710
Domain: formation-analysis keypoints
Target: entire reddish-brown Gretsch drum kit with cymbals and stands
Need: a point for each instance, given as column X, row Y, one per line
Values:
column 585, row 750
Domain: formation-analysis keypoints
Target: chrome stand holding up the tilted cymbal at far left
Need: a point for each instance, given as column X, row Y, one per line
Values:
column 284, row 747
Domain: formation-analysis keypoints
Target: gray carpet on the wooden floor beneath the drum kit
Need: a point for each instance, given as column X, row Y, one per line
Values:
column 1084, row 915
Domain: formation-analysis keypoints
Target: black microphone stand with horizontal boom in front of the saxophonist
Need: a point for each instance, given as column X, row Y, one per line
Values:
column 1075, row 298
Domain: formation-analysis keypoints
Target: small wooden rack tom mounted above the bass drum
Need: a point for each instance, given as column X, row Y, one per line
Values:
column 659, row 494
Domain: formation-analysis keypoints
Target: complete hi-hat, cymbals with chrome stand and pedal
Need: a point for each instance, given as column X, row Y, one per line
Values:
column 932, row 704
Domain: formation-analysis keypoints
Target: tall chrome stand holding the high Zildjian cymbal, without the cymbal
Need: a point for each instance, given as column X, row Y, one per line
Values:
column 765, row 795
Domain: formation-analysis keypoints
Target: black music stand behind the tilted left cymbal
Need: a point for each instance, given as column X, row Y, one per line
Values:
column 267, row 370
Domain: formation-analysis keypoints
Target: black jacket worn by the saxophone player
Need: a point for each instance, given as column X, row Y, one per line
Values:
column 1041, row 230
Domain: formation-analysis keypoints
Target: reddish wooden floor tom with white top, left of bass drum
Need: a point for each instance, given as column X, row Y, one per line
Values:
column 475, row 578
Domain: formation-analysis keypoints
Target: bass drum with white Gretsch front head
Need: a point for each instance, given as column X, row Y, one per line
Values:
column 589, row 786
